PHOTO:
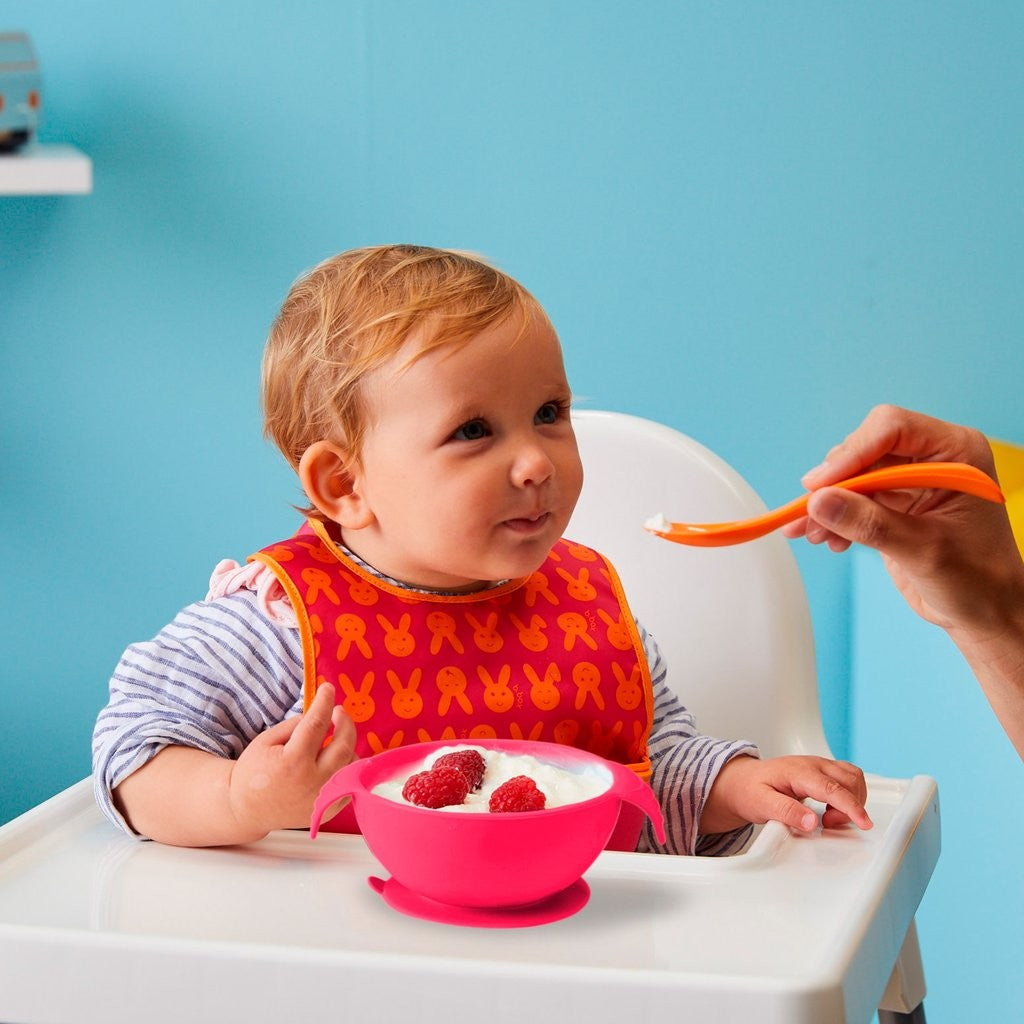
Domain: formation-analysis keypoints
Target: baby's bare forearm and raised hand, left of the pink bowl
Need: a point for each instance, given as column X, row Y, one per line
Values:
column 188, row 797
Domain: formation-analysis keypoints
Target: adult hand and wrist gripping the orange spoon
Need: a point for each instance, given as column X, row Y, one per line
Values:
column 953, row 557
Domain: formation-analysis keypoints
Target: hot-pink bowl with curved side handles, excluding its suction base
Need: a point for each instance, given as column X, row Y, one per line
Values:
column 484, row 860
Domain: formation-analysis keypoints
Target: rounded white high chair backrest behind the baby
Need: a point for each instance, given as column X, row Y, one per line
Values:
column 733, row 623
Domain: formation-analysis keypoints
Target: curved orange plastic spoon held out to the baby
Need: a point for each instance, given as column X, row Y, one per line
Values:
column 950, row 476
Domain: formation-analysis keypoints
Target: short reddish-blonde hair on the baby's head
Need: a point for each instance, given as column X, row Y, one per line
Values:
column 352, row 314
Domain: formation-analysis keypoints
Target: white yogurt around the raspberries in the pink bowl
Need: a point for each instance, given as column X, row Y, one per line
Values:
column 560, row 786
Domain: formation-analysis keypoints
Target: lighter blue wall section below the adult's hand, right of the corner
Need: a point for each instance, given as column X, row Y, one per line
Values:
column 917, row 710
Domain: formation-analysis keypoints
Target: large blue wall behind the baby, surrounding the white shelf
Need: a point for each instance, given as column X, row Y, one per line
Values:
column 752, row 222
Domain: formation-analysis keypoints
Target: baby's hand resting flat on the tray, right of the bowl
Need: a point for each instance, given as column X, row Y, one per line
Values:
column 751, row 790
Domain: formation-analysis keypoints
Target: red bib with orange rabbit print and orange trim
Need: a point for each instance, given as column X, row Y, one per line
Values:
column 554, row 657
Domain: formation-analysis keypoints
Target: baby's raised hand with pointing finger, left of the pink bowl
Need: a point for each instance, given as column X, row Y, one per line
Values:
column 278, row 777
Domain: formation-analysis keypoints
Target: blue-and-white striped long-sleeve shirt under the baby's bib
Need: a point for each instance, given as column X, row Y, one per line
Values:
column 224, row 671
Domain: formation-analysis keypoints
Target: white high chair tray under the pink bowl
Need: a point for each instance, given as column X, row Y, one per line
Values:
column 96, row 927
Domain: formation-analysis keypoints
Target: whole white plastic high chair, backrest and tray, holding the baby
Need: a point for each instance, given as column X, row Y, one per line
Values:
column 98, row 927
